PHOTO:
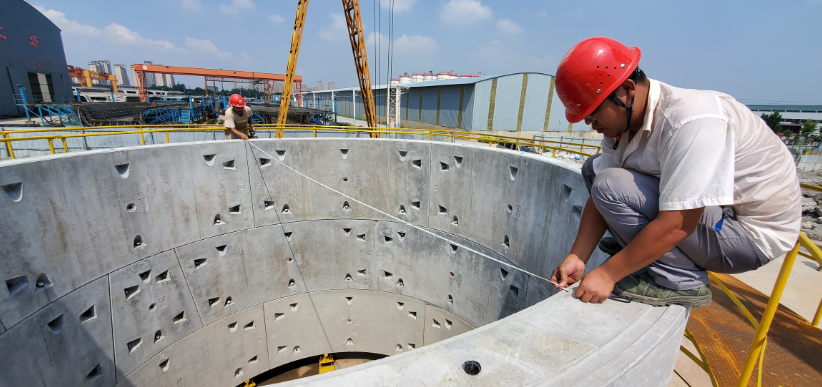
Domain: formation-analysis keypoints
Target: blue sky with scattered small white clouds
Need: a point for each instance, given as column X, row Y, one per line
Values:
column 757, row 51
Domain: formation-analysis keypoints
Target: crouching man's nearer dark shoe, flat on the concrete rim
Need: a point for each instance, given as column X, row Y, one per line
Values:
column 642, row 288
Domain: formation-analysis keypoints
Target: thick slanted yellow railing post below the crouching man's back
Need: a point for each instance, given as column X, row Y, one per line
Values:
column 767, row 316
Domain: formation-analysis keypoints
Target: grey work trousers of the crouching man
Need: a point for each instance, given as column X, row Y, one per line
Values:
column 629, row 200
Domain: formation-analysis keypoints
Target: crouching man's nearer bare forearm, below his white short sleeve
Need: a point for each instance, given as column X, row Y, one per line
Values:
column 658, row 237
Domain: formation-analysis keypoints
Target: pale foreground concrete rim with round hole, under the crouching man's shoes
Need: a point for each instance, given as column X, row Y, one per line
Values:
column 524, row 350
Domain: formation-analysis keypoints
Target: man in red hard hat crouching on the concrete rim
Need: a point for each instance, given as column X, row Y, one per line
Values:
column 688, row 181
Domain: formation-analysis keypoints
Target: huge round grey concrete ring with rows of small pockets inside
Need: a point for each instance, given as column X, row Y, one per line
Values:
column 205, row 264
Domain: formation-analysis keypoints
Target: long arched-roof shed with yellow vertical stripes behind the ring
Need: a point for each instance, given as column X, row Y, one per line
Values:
column 510, row 103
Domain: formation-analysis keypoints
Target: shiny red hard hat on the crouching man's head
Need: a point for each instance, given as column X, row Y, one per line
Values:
column 590, row 71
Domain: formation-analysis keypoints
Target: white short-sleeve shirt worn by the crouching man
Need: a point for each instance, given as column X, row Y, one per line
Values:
column 707, row 149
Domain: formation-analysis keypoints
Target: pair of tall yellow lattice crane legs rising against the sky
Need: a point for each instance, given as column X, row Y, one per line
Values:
column 356, row 36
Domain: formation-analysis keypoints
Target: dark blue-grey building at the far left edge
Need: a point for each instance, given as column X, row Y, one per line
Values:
column 31, row 58
